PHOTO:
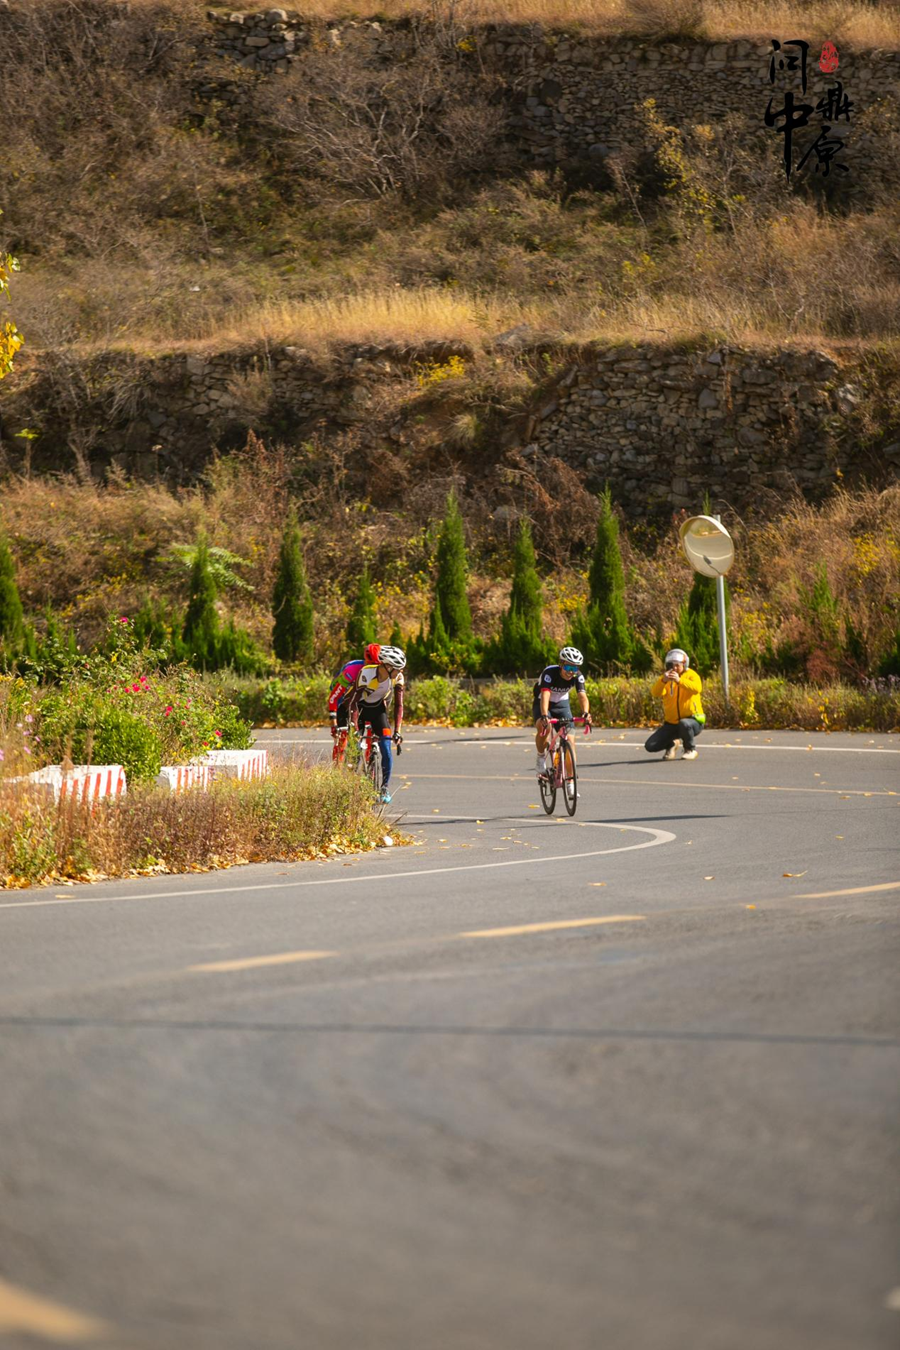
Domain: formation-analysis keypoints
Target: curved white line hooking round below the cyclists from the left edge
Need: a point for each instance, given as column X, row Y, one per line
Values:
column 373, row 878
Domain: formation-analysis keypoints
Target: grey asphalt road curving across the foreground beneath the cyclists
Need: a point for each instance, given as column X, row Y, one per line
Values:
column 629, row 1082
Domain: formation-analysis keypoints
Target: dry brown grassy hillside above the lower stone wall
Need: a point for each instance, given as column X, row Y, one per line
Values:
column 148, row 223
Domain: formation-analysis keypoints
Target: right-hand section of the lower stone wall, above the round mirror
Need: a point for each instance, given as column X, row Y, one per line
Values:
column 654, row 423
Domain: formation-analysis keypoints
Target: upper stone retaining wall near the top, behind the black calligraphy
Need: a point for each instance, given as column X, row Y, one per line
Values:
column 577, row 98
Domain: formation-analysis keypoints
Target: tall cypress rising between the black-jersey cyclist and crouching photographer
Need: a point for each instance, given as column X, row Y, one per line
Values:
column 605, row 632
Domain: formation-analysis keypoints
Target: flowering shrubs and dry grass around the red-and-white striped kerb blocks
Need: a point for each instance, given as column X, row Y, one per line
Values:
column 118, row 707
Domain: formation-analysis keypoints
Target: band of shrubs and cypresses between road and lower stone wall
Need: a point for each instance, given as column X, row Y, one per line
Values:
column 208, row 577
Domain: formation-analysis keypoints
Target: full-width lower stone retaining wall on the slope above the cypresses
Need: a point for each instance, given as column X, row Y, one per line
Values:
column 652, row 421
